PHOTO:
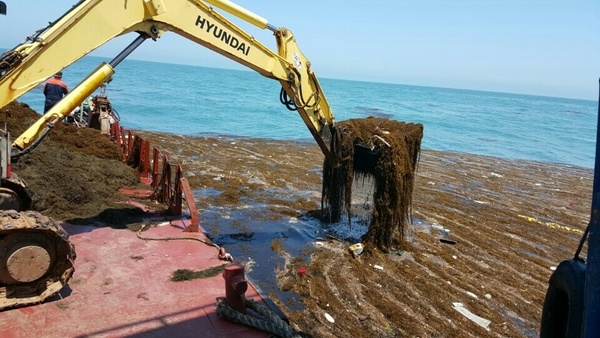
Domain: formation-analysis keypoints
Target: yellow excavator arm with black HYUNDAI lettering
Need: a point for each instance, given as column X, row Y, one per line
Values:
column 70, row 37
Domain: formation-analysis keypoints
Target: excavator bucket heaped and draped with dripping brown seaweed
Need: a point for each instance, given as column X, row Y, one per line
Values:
column 379, row 153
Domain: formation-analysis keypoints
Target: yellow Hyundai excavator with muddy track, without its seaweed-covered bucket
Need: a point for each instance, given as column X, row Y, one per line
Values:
column 36, row 258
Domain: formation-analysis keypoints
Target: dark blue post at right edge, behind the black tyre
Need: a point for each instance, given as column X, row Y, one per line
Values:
column 591, row 315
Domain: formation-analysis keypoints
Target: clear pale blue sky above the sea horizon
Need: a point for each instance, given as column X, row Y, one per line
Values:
column 544, row 47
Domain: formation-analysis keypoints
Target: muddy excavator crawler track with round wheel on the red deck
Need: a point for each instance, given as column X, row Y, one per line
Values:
column 36, row 258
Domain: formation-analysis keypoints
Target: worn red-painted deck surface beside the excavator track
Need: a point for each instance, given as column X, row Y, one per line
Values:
column 122, row 288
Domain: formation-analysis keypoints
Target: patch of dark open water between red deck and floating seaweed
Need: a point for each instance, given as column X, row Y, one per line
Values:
column 250, row 240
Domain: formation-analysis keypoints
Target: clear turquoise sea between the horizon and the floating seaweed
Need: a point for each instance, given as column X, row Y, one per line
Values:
column 196, row 101
